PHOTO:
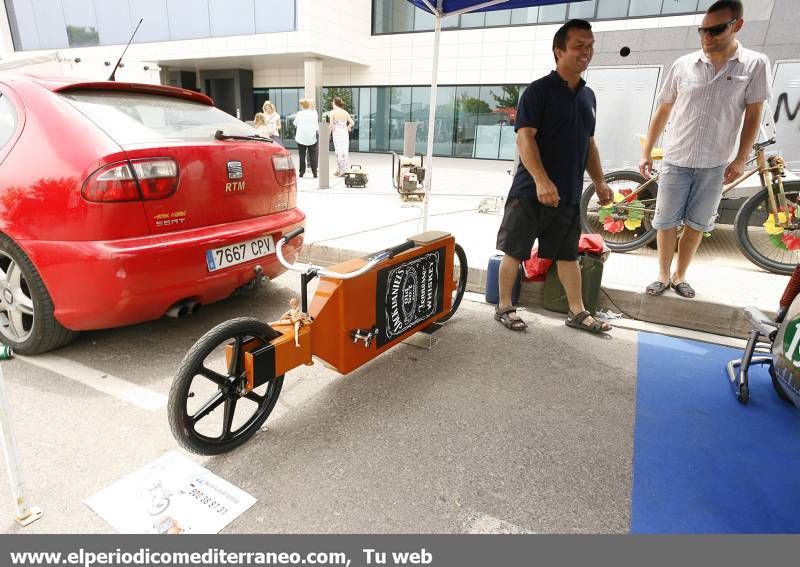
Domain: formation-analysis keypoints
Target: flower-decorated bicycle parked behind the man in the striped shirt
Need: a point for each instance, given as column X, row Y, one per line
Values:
column 767, row 225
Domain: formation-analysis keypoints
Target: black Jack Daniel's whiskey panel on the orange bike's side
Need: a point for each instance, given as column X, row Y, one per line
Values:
column 408, row 294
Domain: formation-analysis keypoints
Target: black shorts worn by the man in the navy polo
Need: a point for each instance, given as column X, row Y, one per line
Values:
column 524, row 220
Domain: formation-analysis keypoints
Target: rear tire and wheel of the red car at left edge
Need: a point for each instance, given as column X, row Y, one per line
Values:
column 27, row 323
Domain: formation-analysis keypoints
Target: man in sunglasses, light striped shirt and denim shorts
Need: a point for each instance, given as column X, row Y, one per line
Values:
column 705, row 94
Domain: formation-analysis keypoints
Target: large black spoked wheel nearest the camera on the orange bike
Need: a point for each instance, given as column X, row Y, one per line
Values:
column 209, row 410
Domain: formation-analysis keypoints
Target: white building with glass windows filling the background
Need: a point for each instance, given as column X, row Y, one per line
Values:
column 377, row 55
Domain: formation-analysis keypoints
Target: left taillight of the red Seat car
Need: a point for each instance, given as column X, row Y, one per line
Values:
column 142, row 179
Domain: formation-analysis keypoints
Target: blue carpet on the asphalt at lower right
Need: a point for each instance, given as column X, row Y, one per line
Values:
column 704, row 463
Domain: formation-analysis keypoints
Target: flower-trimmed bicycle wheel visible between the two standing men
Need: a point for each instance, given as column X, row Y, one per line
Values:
column 623, row 226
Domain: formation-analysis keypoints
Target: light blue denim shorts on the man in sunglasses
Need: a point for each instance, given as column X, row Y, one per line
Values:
column 688, row 195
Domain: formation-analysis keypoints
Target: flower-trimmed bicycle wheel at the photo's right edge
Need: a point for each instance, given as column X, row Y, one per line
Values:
column 764, row 244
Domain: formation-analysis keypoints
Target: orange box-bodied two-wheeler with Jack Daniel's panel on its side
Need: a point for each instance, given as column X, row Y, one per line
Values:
column 360, row 309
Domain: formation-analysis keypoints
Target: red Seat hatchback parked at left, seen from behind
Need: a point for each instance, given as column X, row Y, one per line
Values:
column 120, row 203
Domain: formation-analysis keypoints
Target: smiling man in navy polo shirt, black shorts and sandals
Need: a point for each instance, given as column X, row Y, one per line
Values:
column 555, row 139
